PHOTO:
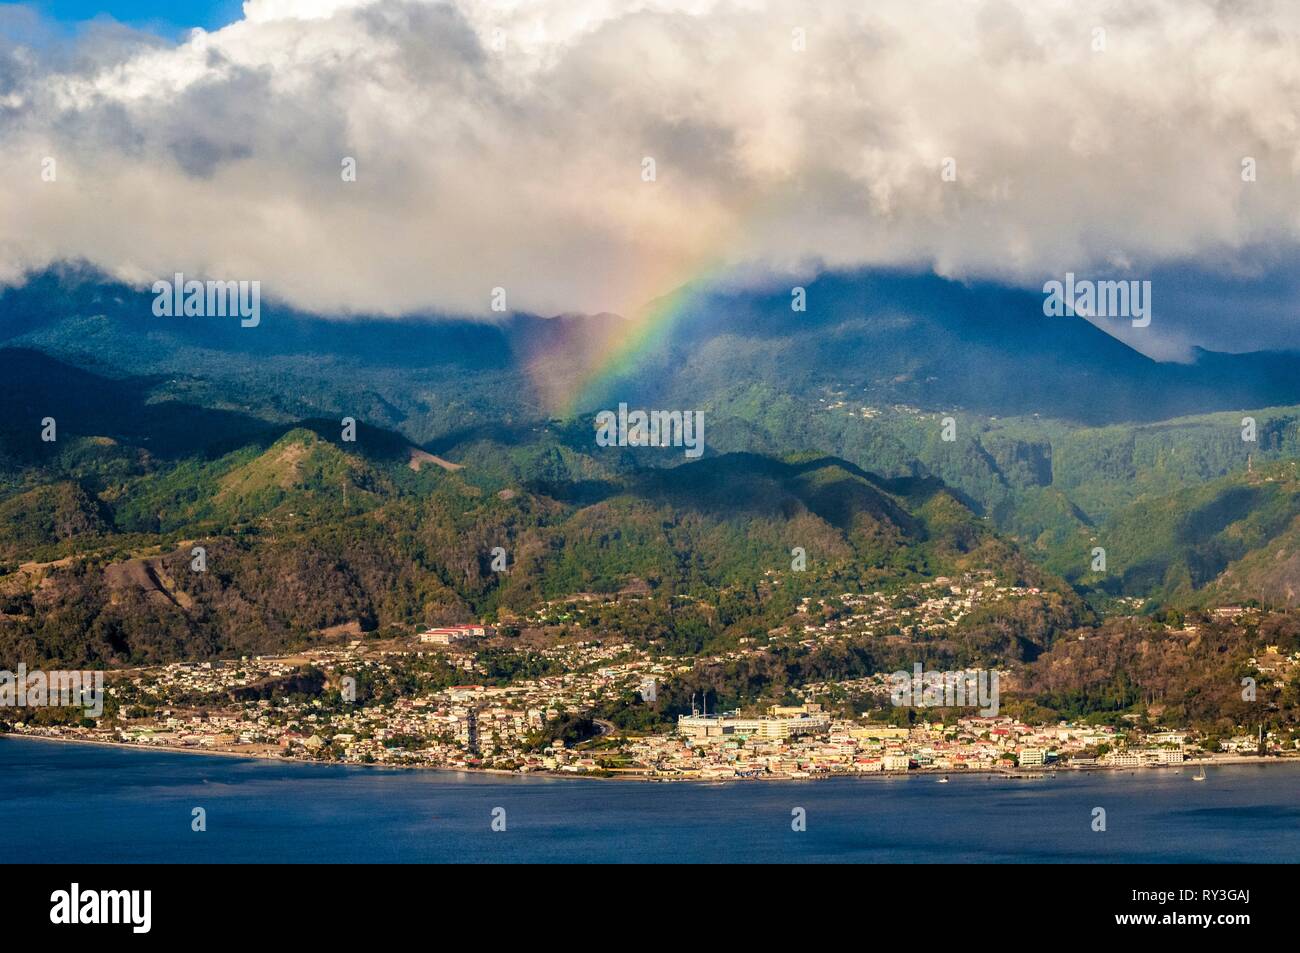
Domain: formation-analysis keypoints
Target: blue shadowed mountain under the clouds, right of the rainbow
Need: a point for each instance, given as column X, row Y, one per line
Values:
column 944, row 346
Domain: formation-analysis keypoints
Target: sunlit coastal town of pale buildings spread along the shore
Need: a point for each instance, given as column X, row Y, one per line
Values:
column 454, row 698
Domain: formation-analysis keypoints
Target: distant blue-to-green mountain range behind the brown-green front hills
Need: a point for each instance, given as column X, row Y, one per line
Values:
column 1058, row 423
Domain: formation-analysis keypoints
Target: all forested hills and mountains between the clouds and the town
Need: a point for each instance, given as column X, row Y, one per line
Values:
column 825, row 432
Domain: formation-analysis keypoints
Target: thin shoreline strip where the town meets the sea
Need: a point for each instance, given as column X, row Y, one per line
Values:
column 1013, row 774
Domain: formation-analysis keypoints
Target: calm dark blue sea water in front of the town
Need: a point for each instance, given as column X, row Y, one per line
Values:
column 89, row 804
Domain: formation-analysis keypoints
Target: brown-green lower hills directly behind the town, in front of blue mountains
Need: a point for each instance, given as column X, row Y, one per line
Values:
column 305, row 532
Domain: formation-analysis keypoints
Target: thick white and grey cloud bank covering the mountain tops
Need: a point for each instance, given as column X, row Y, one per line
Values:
column 501, row 145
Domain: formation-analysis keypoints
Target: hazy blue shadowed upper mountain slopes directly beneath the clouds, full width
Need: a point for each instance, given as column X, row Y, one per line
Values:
column 879, row 339
